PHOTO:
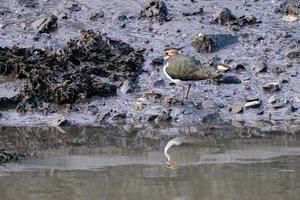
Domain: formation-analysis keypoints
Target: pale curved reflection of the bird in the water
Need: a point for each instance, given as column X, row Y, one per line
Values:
column 176, row 142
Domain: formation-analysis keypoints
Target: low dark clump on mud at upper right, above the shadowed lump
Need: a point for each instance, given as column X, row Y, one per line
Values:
column 225, row 17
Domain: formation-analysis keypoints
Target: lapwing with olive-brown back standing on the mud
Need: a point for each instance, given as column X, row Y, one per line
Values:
column 184, row 71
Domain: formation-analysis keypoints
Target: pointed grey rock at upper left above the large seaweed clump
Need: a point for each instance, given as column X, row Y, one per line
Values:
column 45, row 25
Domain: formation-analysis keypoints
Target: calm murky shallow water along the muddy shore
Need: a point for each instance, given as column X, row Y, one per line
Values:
column 117, row 167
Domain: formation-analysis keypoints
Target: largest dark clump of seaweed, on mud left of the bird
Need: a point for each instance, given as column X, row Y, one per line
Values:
column 85, row 67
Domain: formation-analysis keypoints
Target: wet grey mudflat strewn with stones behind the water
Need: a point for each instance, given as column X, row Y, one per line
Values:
column 96, row 62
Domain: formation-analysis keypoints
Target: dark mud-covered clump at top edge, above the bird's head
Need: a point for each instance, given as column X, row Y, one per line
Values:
column 156, row 10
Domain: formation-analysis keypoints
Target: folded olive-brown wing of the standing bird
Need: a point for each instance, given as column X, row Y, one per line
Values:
column 187, row 69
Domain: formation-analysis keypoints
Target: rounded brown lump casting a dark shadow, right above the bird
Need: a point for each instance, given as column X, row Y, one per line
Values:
column 203, row 43
